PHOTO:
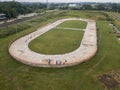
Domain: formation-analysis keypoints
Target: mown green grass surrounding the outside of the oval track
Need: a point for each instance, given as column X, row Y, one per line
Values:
column 17, row 76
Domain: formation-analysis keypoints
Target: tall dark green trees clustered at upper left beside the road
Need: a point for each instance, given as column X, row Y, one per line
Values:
column 13, row 9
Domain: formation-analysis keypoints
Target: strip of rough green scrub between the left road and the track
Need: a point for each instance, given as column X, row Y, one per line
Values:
column 10, row 30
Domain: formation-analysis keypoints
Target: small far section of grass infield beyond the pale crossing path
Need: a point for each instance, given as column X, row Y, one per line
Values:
column 73, row 24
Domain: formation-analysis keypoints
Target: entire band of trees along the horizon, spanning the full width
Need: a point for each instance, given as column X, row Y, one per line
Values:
column 13, row 9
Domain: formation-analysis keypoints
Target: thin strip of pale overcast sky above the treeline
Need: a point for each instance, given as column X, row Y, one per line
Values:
column 66, row 0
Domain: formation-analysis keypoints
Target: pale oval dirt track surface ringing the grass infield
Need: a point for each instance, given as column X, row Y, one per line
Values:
column 20, row 51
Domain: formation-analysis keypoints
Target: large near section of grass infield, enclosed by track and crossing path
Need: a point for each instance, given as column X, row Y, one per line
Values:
column 57, row 41
